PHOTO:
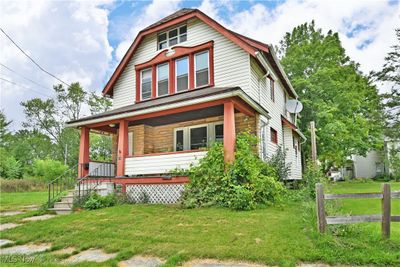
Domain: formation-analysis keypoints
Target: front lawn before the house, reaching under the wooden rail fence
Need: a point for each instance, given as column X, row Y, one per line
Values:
column 282, row 235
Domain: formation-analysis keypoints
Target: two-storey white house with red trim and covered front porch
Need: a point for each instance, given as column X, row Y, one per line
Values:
column 185, row 82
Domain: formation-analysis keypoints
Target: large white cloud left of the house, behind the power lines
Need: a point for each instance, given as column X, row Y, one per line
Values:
column 68, row 38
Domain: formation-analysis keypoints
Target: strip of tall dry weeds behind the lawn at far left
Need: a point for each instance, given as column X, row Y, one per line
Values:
column 21, row 185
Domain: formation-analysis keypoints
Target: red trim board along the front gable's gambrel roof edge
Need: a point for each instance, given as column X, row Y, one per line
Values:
column 196, row 13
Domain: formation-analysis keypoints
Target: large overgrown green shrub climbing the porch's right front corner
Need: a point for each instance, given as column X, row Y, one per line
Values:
column 242, row 185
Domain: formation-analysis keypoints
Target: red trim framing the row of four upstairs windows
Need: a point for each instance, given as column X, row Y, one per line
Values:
column 180, row 51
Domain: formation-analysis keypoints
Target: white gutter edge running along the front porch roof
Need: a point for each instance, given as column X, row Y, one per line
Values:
column 238, row 93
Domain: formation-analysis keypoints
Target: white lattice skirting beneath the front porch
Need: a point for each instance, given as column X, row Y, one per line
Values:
column 154, row 193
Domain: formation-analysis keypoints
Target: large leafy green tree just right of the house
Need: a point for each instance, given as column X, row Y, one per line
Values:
column 343, row 102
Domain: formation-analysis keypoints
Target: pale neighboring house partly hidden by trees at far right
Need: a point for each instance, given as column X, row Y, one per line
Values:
column 375, row 163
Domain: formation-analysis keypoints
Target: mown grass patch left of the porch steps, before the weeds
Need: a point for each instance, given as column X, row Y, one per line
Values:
column 14, row 201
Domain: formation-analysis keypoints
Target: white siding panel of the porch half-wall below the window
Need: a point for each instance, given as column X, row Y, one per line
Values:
column 159, row 164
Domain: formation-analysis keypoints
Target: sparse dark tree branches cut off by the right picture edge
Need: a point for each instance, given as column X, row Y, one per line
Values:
column 390, row 74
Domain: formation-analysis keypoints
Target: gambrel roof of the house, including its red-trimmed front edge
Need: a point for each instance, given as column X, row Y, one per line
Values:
column 251, row 46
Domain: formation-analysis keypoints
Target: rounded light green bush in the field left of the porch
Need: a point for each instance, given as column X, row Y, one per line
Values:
column 48, row 169
